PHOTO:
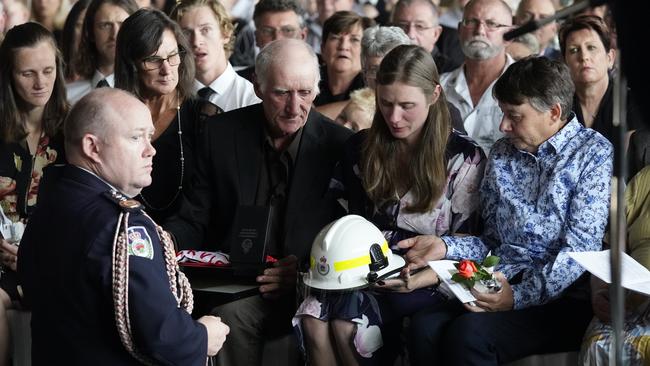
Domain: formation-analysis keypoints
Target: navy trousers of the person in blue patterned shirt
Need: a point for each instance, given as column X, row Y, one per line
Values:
column 448, row 334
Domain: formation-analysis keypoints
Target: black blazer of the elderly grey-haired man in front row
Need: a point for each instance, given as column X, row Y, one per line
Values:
column 228, row 165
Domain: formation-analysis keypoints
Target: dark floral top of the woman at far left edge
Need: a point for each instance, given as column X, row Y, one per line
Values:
column 21, row 173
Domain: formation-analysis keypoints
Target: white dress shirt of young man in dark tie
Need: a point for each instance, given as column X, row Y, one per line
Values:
column 231, row 91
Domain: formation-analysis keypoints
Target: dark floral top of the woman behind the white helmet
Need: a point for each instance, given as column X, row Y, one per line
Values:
column 454, row 212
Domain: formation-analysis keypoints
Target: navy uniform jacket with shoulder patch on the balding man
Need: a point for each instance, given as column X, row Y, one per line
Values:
column 65, row 267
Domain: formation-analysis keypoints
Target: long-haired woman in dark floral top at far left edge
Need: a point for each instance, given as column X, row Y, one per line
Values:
column 32, row 109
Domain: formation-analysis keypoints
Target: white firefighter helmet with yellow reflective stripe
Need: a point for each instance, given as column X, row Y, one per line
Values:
column 350, row 253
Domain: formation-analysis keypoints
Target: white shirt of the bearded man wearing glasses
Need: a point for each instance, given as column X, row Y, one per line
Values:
column 481, row 121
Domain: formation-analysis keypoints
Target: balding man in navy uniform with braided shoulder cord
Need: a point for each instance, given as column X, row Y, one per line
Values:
column 100, row 277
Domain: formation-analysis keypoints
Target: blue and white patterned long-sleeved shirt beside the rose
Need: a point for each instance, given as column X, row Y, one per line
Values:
column 537, row 208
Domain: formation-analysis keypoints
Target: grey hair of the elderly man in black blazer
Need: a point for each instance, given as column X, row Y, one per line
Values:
column 276, row 52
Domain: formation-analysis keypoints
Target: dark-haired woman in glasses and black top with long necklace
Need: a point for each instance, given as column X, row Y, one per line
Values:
column 152, row 62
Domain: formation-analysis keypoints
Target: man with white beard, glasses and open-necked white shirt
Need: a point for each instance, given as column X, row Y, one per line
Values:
column 469, row 87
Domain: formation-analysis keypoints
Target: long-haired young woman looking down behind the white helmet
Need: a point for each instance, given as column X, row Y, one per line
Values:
column 410, row 174
